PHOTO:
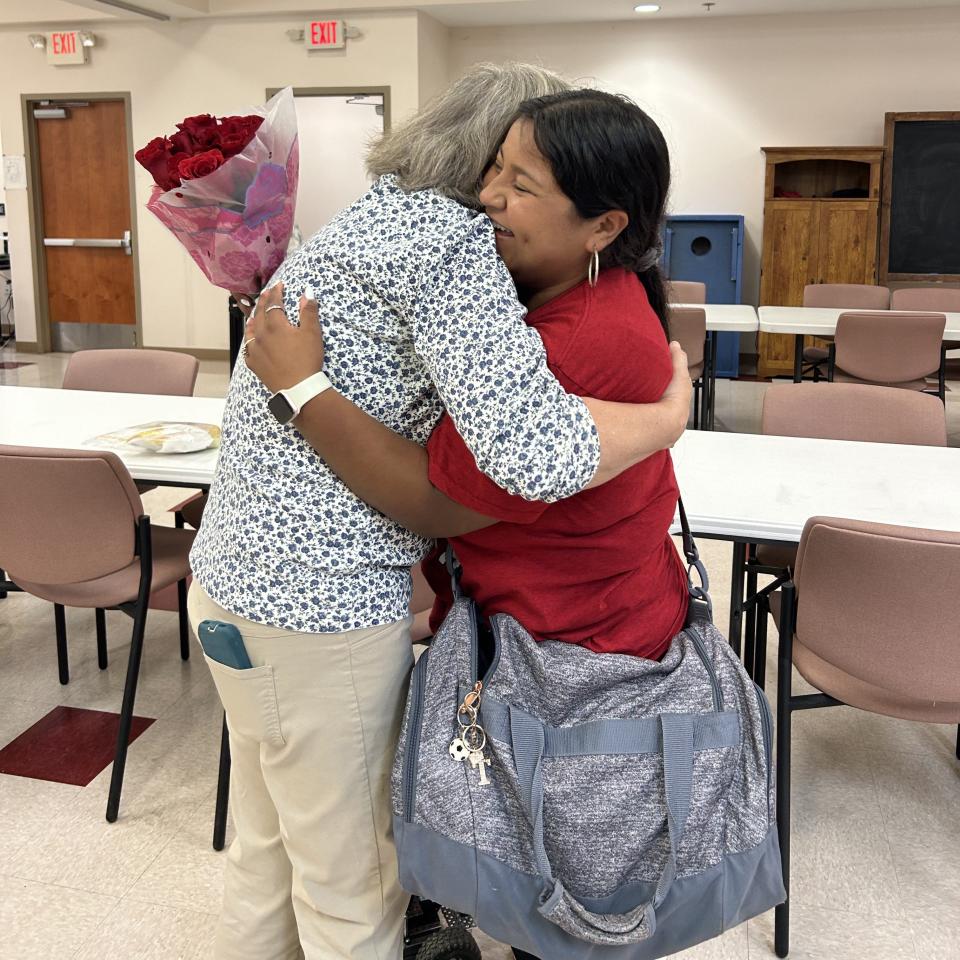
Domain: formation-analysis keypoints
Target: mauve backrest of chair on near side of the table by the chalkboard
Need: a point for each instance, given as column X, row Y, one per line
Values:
column 887, row 347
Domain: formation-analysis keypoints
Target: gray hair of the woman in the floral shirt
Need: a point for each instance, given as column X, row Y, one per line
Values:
column 448, row 144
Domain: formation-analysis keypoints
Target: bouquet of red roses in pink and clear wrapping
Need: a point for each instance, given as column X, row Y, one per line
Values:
column 226, row 188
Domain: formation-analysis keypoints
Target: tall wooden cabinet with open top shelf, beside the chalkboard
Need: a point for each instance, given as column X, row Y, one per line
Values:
column 820, row 222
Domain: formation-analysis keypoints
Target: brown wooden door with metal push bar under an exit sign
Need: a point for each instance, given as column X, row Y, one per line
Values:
column 83, row 168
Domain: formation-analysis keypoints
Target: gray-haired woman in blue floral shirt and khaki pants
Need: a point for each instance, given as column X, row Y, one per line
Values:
column 419, row 315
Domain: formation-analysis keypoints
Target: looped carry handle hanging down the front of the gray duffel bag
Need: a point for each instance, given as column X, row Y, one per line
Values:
column 557, row 904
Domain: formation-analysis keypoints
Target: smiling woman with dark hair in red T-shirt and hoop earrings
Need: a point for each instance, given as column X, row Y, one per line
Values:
column 576, row 196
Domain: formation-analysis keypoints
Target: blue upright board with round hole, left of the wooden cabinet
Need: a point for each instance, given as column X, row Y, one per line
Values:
column 709, row 248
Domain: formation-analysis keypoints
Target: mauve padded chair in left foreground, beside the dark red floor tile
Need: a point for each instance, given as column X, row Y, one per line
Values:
column 74, row 532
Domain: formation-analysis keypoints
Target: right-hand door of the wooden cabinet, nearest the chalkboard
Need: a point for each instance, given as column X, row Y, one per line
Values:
column 848, row 241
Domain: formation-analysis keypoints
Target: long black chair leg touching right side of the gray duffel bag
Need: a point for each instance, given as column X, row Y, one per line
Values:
column 781, row 936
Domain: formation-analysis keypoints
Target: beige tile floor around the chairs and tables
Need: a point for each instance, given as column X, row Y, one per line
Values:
column 875, row 805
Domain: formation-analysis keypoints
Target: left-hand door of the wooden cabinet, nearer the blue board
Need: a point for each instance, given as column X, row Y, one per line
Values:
column 791, row 237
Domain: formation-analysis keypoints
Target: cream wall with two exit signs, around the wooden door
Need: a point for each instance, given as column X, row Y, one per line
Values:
column 174, row 70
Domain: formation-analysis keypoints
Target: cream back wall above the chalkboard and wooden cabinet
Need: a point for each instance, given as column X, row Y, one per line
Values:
column 722, row 88
